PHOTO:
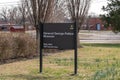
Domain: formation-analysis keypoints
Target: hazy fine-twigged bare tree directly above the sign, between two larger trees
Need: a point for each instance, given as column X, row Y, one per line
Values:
column 58, row 13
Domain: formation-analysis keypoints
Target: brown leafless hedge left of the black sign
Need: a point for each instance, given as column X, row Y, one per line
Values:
column 16, row 45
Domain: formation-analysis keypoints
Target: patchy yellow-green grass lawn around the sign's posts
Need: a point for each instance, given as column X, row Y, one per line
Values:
column 95, row 62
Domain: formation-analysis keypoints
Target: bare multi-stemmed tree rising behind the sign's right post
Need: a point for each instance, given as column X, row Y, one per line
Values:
column 78, row 10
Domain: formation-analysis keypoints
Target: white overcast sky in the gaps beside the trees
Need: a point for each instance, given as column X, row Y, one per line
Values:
column 95, row 8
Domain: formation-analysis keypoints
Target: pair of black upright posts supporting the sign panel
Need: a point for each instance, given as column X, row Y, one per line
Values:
column 75, row 47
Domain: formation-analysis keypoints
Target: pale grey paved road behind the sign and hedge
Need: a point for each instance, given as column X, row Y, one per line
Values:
column 93, row 36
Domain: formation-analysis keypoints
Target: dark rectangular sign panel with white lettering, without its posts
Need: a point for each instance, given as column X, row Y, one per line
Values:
column 58, row 36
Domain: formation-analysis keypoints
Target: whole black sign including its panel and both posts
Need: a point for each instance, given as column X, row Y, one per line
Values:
column 62, row 36
